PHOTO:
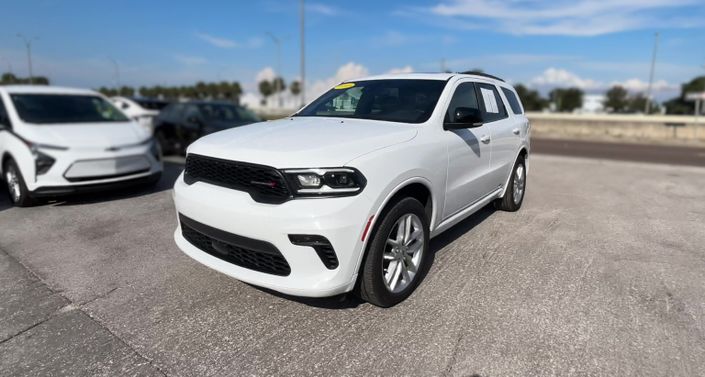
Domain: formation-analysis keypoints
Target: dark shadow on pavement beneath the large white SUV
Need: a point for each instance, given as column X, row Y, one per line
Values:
column 350, row 301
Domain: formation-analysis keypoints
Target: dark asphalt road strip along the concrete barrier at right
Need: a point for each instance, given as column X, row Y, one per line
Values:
column 665, row 154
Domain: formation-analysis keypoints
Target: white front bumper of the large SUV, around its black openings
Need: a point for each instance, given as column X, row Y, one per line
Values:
column 340, row 220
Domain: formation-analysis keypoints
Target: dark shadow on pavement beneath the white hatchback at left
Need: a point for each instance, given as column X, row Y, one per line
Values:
column 171, row 172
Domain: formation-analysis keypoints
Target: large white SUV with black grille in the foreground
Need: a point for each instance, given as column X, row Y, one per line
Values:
column 345, row 194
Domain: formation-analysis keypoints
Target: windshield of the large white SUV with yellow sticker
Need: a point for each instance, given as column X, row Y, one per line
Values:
column 407, row 101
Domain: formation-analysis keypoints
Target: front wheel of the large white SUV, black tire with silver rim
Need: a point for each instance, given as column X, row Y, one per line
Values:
column 398, row 255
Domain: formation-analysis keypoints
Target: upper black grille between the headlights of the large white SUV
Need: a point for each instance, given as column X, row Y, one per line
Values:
column 264, row 184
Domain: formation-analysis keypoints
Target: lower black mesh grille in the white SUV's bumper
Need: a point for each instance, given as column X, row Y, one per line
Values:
column 241, row 251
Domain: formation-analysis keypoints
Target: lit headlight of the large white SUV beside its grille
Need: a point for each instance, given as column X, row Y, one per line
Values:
column 325, row 181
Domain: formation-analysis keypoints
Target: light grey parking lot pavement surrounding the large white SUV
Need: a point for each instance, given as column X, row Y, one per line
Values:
column 599, row 273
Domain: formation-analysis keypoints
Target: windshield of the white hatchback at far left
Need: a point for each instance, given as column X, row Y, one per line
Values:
column 62, row 108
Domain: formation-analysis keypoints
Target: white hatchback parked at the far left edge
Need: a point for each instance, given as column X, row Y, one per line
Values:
column 56, row 141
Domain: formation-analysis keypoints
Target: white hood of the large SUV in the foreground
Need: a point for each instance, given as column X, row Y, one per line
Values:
column 302, row 142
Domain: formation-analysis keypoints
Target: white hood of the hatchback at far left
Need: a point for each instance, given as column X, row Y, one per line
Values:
column 86, row 135
